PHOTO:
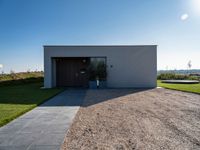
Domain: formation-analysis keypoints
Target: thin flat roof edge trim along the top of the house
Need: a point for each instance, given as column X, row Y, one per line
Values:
column 97, row 45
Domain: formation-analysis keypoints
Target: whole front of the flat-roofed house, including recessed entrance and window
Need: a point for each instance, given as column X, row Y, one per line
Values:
column 123, row 66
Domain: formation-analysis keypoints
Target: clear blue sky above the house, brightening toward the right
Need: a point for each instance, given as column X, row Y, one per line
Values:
column 27, row 25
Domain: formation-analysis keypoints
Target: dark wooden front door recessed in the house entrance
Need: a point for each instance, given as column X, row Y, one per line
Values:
column 72, row 72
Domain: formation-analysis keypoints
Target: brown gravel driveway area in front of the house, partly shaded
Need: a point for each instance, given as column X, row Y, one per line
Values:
column 128, row 119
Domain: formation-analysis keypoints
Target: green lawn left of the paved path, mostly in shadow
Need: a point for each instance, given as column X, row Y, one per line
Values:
column 18, row 99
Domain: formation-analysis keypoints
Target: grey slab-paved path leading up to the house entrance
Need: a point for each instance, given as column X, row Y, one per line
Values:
column 44, row 127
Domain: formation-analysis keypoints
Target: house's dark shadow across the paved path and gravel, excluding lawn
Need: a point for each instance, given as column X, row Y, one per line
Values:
column 85, row 98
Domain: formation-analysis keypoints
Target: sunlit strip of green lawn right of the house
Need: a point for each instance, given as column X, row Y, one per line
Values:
column 194, row 88
